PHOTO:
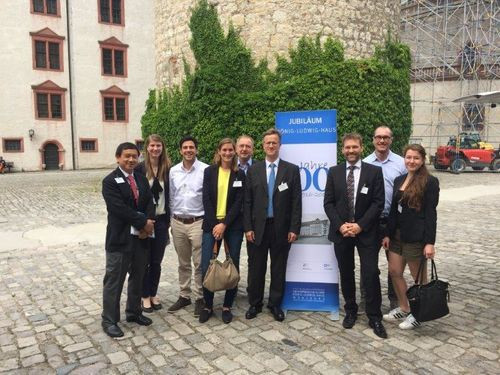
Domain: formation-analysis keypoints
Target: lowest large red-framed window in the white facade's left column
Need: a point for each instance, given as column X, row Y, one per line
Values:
column 49, row 101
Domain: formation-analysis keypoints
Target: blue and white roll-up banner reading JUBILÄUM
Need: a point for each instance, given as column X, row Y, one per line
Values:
column 309, row 139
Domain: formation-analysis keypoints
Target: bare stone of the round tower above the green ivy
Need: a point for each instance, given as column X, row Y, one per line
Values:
column 273, row 26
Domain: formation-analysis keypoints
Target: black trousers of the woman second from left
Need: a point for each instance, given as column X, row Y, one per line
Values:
column 156, row 252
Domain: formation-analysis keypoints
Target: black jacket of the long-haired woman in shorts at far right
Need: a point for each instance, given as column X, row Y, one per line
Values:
column 415, row 226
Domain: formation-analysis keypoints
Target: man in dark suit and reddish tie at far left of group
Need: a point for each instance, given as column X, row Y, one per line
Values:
column 130, row 207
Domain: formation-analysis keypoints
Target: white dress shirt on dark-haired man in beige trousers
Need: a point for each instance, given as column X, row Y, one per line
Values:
column 186, row 189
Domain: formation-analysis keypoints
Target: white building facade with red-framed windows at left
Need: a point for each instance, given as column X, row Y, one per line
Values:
column 75, row 80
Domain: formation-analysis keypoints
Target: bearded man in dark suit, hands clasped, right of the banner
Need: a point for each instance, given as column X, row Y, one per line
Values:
column 354, row 200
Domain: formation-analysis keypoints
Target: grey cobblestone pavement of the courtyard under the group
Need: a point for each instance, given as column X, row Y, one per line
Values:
column 50, row 300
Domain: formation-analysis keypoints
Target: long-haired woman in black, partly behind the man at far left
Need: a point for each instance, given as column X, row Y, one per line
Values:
column 155, row 167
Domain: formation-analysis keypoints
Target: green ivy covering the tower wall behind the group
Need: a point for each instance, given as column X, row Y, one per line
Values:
column 228, row 94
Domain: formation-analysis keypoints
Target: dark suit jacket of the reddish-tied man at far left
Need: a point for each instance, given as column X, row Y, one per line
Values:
column 122, row 209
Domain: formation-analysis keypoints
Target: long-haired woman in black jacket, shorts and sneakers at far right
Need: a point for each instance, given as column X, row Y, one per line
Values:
column 411, row 228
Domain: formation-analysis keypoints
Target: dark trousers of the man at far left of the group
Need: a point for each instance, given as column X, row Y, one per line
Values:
column 118, row 264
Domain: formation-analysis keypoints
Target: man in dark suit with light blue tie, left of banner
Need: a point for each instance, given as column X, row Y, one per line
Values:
column 272, row 218
